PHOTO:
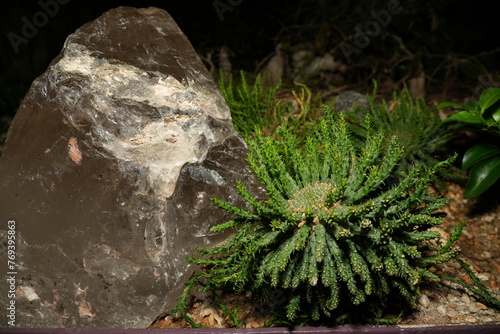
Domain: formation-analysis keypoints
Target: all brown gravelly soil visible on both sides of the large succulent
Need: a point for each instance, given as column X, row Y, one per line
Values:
column 444, row 303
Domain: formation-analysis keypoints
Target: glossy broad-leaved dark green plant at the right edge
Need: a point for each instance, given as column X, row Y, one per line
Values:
column 483, row 160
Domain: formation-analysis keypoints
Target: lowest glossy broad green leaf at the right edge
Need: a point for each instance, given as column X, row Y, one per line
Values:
column 482, row 176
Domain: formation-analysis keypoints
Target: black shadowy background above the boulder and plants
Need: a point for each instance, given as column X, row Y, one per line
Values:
column 455, row 43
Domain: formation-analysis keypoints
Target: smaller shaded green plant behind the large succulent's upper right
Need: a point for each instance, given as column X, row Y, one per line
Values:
column 418, row 129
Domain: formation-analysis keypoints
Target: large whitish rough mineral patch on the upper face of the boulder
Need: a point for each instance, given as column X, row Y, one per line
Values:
column 162, row 145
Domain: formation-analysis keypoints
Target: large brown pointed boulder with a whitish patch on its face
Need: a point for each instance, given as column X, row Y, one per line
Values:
column 108, row 172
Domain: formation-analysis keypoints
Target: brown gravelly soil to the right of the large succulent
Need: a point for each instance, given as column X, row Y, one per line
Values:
column 446, row 303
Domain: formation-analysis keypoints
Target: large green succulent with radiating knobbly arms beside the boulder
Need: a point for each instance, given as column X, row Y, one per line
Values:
column 338, row 231
